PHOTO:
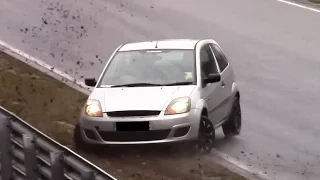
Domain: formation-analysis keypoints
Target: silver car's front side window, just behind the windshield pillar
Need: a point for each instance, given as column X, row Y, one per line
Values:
column 208, row 64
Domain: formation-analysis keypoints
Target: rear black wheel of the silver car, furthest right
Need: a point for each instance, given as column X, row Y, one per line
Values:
column 233, row 125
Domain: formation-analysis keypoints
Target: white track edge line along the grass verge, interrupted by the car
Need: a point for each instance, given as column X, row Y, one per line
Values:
column 26, row 58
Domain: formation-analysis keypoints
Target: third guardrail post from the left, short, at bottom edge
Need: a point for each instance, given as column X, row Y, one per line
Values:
column 57, row 172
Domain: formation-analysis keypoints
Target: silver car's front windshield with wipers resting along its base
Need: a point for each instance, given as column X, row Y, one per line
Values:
column 150, row 67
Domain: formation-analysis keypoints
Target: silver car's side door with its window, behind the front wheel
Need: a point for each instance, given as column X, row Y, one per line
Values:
column 212, row 92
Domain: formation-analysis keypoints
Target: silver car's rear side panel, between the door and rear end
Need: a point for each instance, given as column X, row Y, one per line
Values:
column 226, row 81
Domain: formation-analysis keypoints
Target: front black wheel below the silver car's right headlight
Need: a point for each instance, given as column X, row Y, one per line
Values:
column 206, row 137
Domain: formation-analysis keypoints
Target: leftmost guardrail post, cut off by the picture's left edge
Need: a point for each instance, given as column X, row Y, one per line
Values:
column 5, row 148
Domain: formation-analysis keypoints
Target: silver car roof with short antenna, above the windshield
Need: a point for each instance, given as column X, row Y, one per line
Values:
column 160, row 44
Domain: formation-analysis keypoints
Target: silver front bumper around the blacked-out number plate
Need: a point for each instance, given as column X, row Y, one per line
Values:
column 163, row 129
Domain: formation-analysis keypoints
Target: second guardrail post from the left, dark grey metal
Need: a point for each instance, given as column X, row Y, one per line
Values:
column 30, row 156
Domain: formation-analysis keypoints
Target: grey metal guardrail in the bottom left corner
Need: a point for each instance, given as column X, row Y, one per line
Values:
column 28, row 154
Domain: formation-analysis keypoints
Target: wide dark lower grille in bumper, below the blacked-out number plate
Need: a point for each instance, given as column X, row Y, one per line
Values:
column 134, row 135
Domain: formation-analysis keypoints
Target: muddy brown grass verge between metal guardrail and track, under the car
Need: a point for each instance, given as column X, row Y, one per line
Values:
column 53, row 107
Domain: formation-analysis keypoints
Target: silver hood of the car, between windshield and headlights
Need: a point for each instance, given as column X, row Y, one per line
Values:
column 140, row 98
